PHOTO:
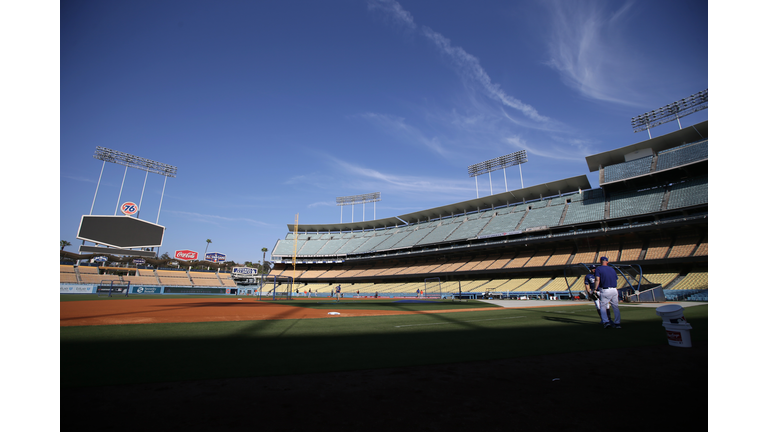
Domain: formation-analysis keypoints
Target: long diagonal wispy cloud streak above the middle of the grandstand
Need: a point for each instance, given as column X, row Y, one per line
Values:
column 491, row 118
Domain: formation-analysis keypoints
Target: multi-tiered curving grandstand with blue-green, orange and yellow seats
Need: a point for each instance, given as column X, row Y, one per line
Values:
column 650, row 210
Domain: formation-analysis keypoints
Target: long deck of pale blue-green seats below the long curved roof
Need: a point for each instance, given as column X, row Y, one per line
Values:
column 573, row 208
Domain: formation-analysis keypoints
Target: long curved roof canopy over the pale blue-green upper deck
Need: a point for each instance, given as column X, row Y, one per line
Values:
column 555, row 188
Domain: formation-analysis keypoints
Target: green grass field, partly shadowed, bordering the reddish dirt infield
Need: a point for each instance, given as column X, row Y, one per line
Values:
column 145, row 353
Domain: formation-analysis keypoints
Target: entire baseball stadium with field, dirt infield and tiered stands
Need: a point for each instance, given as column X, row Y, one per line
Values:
column 446, row 318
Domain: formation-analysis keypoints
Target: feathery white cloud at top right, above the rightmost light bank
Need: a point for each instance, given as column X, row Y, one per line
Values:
column 586, row 48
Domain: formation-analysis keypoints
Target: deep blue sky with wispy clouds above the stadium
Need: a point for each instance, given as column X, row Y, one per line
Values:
column 272, row 109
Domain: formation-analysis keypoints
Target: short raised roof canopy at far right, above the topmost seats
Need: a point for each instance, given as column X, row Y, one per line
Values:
column 690, row 134
